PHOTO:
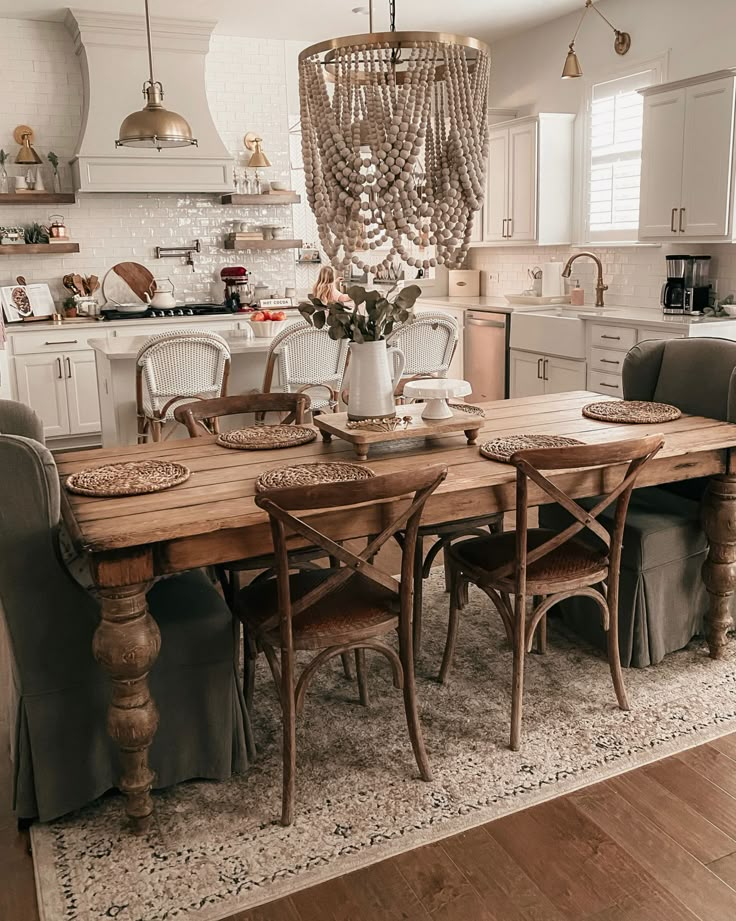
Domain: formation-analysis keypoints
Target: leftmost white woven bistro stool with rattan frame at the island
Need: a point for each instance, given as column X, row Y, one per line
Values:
column 175, row 368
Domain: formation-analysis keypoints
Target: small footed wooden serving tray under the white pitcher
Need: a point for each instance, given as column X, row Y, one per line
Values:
column 335, row 424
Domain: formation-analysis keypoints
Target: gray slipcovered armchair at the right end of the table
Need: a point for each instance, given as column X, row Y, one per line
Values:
column 662, row 599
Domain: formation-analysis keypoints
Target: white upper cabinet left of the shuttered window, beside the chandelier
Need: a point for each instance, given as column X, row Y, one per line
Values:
column 529, row 181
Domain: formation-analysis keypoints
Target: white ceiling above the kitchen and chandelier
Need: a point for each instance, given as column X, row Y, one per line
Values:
column 312, row 20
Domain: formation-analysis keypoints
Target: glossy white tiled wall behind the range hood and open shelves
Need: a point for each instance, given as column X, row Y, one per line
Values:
column 42, row 87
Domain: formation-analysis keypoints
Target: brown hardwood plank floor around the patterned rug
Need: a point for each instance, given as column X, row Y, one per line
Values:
column 656, row 844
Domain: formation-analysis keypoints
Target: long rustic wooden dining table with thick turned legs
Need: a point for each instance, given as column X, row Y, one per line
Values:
column 212, row 518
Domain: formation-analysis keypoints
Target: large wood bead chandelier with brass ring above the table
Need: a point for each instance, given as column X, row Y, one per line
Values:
column 394, row 140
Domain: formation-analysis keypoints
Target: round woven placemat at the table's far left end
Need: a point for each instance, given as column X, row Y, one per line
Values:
column 132, row 478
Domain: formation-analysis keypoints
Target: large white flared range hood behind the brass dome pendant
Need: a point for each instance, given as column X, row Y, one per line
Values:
column 112, row 51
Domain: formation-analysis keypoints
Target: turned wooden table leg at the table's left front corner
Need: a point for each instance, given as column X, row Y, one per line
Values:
column 126, row 644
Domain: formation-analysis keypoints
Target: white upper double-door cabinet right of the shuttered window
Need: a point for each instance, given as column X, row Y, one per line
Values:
column 688, row 159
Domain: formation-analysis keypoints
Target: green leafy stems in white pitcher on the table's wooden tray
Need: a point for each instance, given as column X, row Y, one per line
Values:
column 367, row 324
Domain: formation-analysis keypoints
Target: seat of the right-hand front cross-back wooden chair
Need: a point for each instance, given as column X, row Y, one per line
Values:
column 568, row 563
